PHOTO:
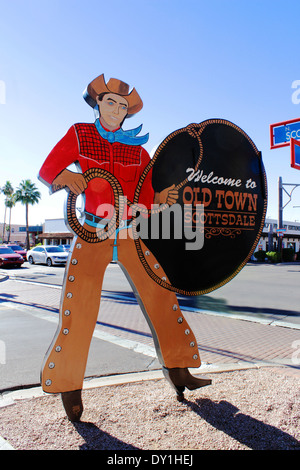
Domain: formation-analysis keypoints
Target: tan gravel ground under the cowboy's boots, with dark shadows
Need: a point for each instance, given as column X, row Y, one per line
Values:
column 251, row 409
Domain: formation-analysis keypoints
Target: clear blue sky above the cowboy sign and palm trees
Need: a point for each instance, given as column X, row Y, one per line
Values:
column 190, row 60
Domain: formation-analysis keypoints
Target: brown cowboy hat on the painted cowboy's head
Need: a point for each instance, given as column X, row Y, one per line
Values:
column 98, row 86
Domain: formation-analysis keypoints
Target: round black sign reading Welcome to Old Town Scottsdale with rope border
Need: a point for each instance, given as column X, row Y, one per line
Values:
column 206, row 238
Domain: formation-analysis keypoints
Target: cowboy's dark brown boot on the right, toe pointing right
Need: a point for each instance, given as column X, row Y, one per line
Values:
column 179, row 378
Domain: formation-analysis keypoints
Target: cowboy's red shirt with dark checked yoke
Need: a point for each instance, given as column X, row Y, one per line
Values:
column 83, row 144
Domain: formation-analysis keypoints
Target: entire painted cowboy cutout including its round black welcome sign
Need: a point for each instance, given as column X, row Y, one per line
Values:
column 203, row 171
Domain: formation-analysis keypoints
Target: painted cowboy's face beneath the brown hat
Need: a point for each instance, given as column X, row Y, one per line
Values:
column 113, row 109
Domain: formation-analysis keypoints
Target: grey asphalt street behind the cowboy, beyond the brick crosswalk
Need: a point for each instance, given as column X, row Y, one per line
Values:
column 259, row 289
